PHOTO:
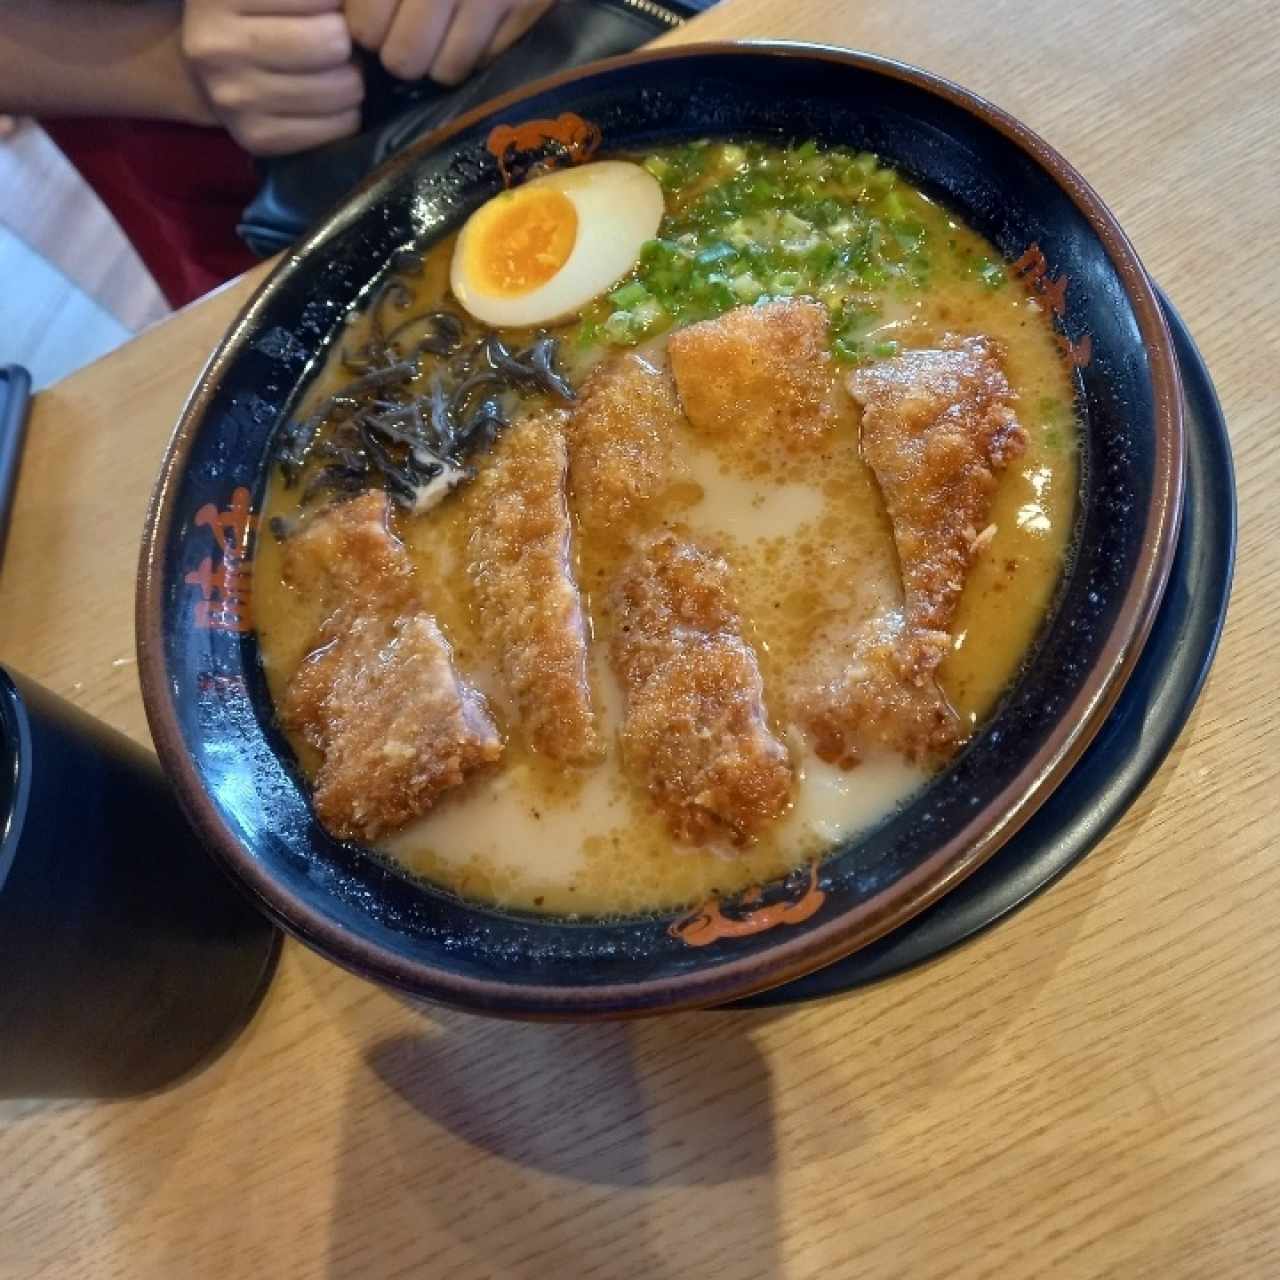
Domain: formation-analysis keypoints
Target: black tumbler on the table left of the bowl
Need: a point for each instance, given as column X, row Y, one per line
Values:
column 127, row 958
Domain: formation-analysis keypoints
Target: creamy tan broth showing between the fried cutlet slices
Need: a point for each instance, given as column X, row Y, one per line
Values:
column 808, row 540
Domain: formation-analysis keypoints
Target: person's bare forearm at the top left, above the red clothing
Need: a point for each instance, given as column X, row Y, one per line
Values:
column 94, row 58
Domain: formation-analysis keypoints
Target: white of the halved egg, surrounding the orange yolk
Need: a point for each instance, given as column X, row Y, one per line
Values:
column 619, row 208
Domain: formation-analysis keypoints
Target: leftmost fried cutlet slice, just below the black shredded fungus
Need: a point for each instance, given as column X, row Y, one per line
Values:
column 378, row 697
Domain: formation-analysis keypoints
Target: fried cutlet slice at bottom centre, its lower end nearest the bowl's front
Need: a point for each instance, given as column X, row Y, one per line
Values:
column 696, row 730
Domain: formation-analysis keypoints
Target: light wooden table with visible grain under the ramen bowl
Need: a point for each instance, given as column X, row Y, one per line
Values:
column 1090, row 1090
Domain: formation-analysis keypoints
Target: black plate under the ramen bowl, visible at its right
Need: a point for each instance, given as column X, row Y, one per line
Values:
column 1131, row 747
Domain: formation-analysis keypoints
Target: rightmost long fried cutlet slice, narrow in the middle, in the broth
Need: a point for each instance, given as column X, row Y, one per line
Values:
column 938, row 427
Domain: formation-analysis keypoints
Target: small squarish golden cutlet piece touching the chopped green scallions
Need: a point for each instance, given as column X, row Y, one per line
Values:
column 758, row 373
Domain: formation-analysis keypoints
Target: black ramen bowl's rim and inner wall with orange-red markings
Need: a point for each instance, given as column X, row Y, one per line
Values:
column 204, row 689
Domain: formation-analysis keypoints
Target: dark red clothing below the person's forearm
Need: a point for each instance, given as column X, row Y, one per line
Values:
column 176, row 190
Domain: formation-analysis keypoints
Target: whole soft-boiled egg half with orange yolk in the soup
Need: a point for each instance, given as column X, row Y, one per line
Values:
column 542, row 252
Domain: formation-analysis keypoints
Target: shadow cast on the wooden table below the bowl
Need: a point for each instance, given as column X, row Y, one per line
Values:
column 529, row 1150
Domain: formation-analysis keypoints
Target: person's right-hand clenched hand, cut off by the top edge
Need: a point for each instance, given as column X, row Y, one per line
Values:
column 442, row 39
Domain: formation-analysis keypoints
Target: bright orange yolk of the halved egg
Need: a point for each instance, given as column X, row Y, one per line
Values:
column 527, row 239
